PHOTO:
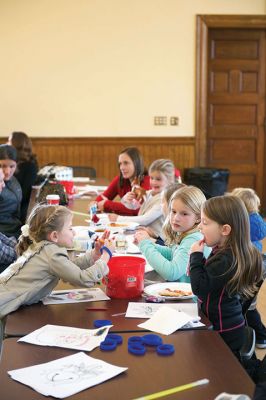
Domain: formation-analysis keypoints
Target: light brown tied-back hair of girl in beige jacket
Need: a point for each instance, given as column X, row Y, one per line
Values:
column 43, row 220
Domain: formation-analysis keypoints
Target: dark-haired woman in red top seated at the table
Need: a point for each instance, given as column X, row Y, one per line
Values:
column 130, row 163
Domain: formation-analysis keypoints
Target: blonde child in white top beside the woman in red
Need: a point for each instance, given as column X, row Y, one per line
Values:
column 150, row 214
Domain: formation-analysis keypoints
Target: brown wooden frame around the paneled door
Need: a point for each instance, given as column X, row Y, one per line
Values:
column 204, row 23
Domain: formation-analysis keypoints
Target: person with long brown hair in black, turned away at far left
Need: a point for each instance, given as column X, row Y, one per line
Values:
column 27, row 167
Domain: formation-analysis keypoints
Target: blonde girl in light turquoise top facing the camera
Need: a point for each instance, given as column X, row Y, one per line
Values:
column 181, row 231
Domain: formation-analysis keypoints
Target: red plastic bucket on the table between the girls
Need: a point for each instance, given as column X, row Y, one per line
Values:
column 126, row 277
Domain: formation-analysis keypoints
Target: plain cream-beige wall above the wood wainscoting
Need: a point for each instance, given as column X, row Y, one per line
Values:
column 102, row 67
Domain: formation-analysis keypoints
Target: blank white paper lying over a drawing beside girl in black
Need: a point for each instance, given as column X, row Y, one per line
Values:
column 166, row 320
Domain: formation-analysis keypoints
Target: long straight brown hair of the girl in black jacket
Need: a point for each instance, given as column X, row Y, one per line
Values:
column 247, row 260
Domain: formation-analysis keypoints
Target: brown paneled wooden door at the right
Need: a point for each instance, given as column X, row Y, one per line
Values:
column 236, row 104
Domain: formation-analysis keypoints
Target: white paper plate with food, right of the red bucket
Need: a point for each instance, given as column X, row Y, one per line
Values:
column 154, row 290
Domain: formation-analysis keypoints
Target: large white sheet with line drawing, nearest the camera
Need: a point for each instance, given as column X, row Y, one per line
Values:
column 66, row 376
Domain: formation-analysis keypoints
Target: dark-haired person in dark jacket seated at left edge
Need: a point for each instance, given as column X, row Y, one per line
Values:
column 11, row 196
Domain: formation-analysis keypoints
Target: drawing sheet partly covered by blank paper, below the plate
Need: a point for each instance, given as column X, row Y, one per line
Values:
column 147, row 310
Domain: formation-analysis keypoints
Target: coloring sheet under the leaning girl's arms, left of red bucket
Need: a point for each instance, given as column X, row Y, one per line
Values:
column 75, row 296
